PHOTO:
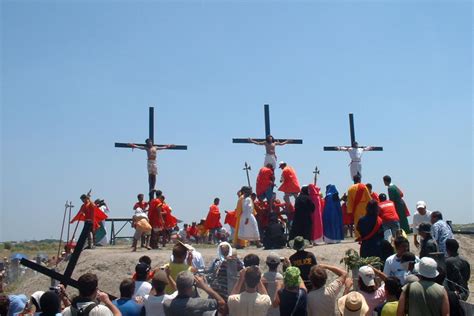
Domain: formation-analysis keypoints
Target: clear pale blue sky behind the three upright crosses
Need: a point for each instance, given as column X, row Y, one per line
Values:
column 78, row 76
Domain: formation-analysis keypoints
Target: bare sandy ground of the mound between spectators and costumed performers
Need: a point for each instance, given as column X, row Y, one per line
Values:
column 112, row 264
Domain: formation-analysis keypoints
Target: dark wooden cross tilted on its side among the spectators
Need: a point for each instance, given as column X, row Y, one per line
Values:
column 65, row 278
